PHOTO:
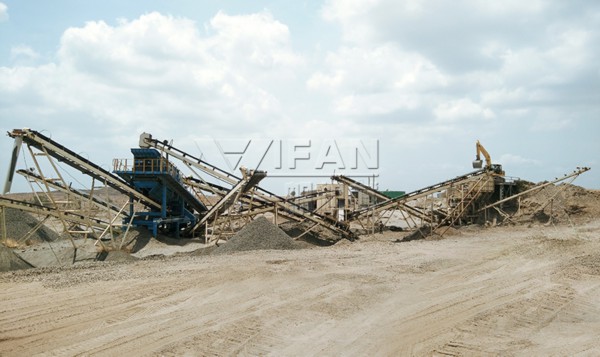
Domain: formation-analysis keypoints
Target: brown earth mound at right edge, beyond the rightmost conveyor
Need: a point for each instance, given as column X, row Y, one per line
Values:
column 561, row 202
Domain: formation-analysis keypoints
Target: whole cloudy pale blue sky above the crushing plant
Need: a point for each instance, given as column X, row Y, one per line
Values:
column 397, row 89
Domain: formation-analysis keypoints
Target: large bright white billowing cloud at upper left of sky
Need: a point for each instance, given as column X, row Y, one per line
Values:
column 159, row 69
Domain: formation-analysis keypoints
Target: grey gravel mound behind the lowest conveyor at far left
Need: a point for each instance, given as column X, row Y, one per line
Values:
column 18, row 223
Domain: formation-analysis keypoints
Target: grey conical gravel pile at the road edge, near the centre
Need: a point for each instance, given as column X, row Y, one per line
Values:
column 260, row 234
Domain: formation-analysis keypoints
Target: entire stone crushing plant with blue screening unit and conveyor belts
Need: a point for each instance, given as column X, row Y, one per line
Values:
column 161, row 197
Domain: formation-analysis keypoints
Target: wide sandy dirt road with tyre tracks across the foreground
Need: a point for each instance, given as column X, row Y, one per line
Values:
column 500, row 291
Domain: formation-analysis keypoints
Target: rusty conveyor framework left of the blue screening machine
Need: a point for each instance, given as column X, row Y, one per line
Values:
column 83, row 213
